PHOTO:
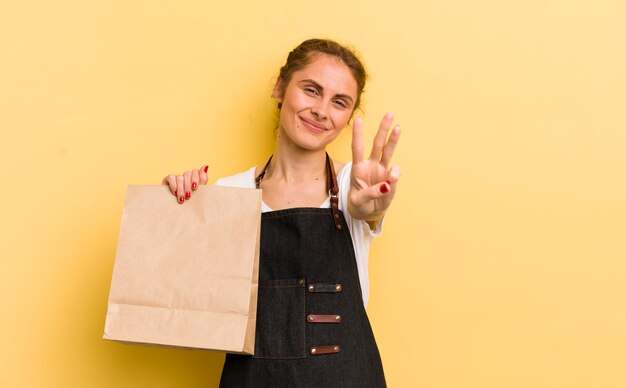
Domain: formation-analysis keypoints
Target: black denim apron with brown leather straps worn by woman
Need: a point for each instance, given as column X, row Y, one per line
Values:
column 312, row 329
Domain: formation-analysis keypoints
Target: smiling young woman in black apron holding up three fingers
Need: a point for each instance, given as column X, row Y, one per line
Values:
column 317, row 225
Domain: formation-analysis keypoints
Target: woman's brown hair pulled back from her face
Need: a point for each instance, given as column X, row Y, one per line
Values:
column 303, row 55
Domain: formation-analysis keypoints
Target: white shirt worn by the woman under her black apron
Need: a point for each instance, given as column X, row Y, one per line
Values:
column 362, row 235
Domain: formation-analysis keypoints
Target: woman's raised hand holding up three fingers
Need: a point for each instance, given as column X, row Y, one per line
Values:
column 373, row 183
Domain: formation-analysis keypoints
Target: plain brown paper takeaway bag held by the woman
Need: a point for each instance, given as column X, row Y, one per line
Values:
column 187, row 275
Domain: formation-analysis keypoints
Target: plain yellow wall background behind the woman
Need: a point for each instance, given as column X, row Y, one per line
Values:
column 503, row 260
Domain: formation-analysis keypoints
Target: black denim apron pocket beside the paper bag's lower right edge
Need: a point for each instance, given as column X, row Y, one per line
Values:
column 280, row 323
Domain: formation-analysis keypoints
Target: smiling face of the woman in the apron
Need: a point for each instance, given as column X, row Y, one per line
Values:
column 317, row 103
